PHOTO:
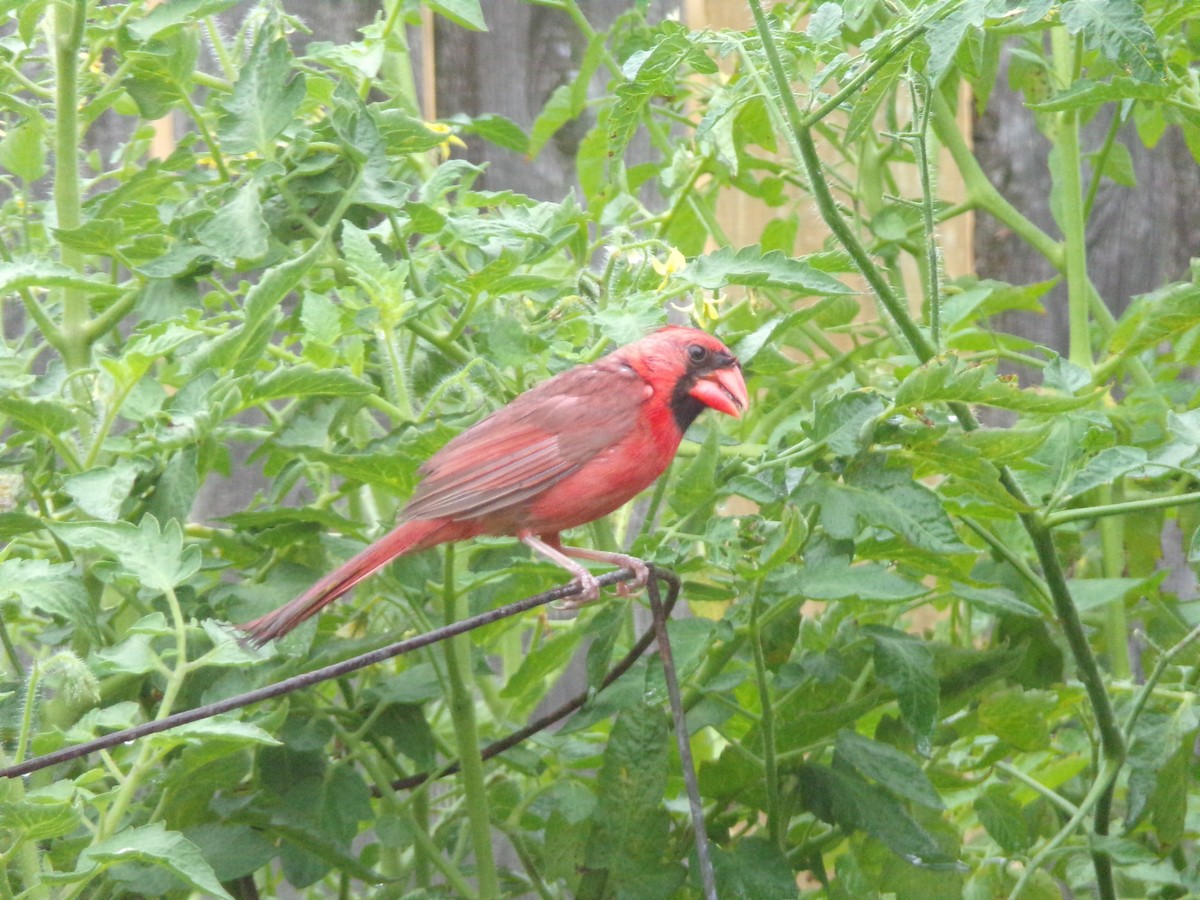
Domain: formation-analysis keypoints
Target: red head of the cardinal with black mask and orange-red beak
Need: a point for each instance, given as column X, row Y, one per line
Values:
column 697, row 369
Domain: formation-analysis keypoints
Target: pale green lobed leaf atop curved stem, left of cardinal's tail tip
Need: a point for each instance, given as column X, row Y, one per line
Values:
column 155, row 557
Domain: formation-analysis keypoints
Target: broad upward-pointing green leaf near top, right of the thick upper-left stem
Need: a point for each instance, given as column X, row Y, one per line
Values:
column 265, row 101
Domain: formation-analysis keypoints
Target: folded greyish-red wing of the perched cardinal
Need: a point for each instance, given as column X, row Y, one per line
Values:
column 530, row 446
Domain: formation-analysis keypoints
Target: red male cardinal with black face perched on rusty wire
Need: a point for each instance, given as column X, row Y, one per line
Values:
column 566, row 453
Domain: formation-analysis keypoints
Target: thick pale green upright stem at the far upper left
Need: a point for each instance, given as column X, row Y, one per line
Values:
column 69, row 22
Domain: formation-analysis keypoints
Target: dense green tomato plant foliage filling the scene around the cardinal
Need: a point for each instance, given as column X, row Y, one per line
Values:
column 911, row 671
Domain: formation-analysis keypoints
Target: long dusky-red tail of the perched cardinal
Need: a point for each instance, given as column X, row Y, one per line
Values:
column 409, row 538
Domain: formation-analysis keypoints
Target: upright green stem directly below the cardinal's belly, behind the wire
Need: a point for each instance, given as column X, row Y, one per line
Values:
column 463, row 713
